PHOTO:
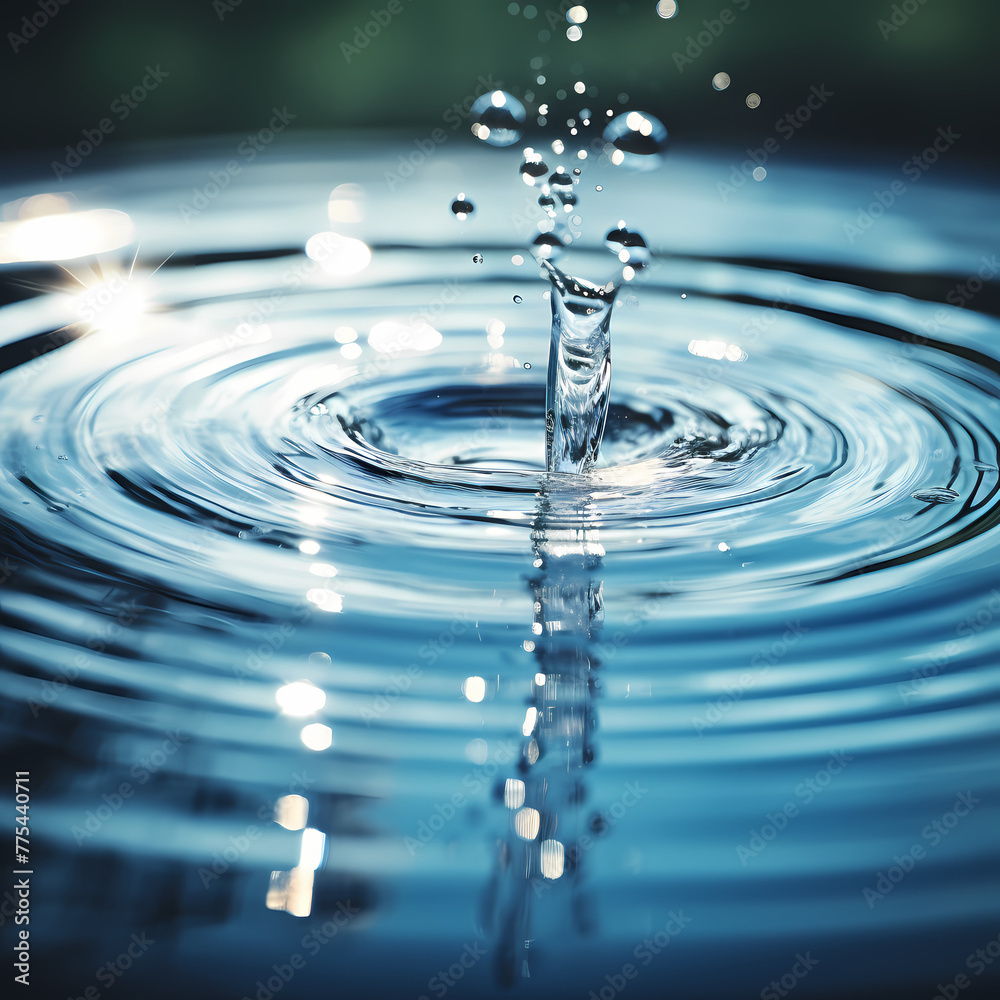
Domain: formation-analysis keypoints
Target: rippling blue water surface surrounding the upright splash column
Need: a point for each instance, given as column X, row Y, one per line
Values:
column 769, row 673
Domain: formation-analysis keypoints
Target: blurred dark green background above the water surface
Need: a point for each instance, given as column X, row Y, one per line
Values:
column 230, row 61
